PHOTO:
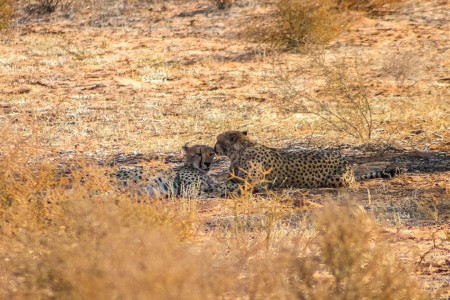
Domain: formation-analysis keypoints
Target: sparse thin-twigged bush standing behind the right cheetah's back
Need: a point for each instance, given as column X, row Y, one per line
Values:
column 342, row 101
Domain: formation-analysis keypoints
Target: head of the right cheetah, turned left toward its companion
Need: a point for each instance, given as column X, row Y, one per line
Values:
column 231, row 142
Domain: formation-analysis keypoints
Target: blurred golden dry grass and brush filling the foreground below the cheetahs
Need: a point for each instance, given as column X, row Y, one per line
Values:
column 83, row 239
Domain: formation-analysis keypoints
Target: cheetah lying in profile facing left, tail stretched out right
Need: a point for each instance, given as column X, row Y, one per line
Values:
column 309, row 168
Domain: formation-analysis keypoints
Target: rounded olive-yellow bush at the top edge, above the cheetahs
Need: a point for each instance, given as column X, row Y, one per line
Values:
column 296, row 22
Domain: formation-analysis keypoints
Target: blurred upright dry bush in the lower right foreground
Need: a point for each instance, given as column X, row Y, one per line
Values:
column 358, row 258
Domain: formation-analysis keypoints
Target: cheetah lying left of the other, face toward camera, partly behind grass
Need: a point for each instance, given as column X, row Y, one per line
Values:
column 189, row 180
